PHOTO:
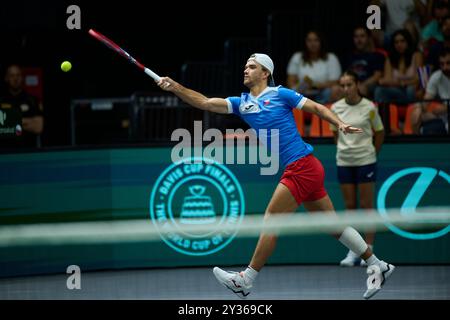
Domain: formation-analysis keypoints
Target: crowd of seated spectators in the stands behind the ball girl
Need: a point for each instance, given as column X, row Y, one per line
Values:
column 404, row 62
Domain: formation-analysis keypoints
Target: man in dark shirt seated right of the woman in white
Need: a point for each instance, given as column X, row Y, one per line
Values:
column 365, row 61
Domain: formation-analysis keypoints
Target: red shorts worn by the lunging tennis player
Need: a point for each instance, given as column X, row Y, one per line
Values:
column 305, row 178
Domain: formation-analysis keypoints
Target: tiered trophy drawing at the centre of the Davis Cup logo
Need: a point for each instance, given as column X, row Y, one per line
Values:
column 197, row 208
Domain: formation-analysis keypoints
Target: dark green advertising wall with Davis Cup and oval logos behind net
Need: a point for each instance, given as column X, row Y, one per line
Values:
column 64, row 186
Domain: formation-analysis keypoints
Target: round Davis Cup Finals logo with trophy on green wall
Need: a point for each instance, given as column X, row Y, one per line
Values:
column 197, row 206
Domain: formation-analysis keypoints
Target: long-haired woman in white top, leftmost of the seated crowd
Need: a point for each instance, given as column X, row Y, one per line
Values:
column 314, row 72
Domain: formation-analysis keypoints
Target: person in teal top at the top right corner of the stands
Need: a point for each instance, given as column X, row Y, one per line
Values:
column 433, row 30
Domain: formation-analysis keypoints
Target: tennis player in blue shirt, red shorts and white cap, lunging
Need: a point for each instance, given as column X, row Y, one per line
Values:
column 269, row 107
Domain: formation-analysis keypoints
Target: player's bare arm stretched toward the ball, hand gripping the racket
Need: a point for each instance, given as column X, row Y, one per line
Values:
column 192, row 97
